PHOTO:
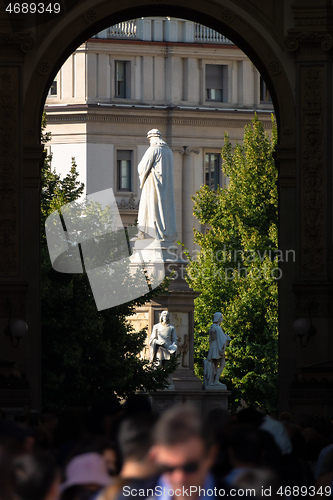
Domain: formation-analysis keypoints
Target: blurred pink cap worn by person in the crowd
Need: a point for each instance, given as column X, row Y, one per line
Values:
column 86, row 469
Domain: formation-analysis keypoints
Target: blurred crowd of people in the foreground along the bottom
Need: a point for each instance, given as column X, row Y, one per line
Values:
column 116, row 451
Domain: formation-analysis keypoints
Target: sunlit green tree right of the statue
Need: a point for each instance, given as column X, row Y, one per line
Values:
column 236, row 269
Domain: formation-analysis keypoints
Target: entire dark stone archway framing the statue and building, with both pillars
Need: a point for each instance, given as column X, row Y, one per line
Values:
column 261, row 32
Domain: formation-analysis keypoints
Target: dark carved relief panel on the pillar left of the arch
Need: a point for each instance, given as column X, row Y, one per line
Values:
column 9, row 125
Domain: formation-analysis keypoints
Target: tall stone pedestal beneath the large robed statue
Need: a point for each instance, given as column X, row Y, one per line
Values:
column 179, row 301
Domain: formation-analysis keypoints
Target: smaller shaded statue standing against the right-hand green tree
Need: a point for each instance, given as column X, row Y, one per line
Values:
column 215, row 362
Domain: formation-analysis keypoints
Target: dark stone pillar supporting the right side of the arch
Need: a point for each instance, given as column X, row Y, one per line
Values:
column 311, row 45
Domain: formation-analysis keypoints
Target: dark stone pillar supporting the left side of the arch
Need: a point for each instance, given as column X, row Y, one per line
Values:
column 19, row 232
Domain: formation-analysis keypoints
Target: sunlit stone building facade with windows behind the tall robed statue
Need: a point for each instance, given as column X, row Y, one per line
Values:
column 183, row 78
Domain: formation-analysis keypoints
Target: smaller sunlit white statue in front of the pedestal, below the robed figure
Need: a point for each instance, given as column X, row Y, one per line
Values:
column 163, row 340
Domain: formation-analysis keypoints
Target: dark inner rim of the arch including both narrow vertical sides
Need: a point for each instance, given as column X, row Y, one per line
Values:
column 54, row 43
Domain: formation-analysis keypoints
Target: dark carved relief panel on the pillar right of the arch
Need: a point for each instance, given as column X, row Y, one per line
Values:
column 312, row 171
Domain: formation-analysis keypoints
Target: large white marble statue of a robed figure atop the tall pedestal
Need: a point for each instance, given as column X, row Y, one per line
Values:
column 157, row 214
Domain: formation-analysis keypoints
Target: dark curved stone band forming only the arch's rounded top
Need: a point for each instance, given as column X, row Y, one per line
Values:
column 76, row 26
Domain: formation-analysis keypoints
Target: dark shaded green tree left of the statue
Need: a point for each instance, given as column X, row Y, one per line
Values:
column 86, row 354
